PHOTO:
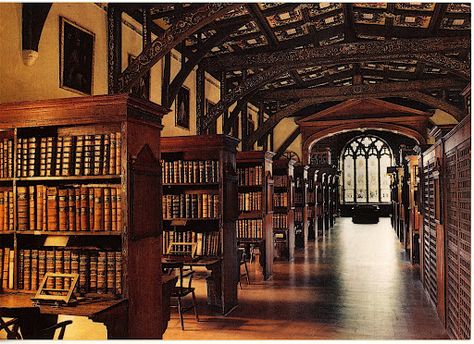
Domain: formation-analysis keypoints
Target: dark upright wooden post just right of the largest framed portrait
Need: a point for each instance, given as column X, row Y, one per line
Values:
column 114, row 36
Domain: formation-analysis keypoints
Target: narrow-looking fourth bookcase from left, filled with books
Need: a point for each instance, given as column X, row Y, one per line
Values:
column 283, row 209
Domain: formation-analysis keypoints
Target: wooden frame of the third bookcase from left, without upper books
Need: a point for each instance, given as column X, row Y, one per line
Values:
column 261, row 161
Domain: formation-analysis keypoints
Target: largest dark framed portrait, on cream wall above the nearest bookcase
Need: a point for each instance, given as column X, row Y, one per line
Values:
column 76, row 57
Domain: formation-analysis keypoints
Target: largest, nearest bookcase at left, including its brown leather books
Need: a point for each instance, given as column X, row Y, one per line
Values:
column 81, row 193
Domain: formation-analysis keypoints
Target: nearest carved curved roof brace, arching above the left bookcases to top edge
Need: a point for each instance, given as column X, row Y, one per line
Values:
column 189, row 23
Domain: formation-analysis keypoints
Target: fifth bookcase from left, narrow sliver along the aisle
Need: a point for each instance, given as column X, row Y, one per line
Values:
column 301, row 205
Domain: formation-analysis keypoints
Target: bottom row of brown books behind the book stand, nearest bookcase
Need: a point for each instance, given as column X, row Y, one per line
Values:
column 99, row 271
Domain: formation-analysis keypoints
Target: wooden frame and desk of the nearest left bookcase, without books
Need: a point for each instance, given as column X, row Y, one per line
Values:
column 139, row 124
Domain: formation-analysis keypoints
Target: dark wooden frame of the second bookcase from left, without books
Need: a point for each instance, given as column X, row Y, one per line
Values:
column 220, row 149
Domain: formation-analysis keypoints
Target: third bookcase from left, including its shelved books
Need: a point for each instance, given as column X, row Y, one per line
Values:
column 255, row 223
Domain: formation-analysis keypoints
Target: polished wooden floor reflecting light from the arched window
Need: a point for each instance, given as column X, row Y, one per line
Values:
column 354, row 283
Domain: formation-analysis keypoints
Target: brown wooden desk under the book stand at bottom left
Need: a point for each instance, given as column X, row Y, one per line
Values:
column 111, row 312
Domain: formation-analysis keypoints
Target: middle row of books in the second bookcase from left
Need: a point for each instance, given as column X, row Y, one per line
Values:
column 191, row 206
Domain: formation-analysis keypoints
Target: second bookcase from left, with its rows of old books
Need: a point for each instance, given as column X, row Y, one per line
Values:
column 200, row 203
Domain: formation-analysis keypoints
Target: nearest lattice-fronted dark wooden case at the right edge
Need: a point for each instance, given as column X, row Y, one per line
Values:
column 457, row 222
